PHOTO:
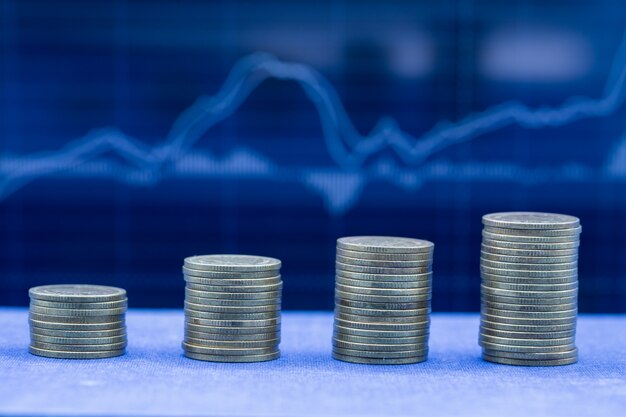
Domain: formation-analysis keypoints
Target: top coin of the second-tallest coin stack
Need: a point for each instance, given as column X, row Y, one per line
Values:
column 384, row 244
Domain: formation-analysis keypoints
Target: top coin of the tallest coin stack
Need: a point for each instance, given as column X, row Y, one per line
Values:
column 530, row 220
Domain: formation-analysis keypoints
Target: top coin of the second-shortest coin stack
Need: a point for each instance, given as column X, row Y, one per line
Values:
column 232, row 263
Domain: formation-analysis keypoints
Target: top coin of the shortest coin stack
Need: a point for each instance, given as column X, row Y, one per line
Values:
column 77, row 293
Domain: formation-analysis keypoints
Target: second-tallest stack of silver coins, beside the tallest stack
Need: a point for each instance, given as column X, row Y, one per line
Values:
column 382, row 300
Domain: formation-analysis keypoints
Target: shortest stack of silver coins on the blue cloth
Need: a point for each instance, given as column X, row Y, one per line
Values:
column 77, row 321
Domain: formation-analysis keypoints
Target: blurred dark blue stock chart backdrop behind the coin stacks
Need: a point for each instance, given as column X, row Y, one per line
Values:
column 135, row 133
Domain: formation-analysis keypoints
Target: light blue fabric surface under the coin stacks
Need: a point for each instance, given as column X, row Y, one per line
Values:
column 155, row 379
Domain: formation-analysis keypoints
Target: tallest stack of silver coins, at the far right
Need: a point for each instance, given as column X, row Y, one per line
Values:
column 529, row 288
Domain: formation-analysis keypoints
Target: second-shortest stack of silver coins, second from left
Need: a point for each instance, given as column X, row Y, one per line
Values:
column 232, row 308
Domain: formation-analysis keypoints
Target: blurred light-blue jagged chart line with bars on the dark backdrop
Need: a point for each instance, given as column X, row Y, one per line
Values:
column 348, row 148
